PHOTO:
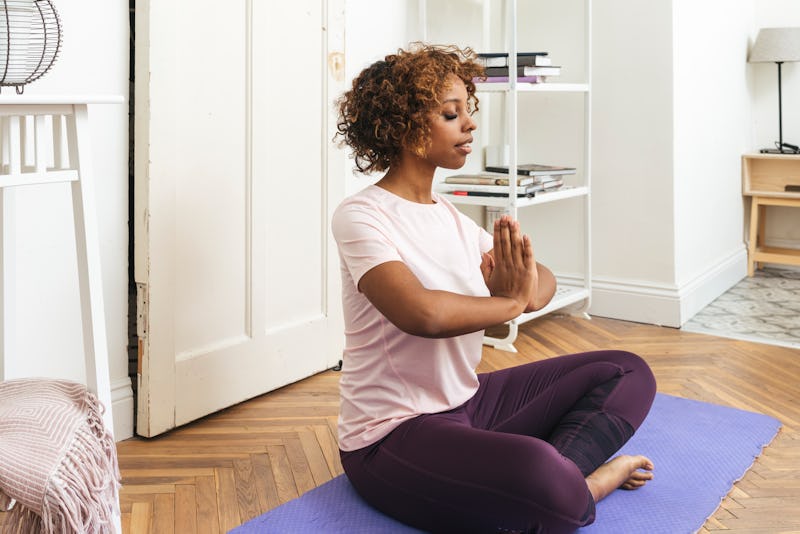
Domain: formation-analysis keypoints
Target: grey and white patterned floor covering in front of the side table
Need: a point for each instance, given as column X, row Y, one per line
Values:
column 764, row 308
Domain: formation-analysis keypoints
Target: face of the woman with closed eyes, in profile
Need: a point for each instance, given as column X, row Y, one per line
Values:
column 451, row 128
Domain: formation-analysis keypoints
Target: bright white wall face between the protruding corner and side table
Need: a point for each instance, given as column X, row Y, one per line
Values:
column 712, row 110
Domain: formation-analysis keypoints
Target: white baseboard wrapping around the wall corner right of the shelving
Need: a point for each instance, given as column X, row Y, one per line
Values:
column 662, row 304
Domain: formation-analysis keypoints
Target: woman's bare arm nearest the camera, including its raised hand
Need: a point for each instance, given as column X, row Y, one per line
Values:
column 397, row 293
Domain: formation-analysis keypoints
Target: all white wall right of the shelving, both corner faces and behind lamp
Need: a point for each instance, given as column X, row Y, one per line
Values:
column 703, row 109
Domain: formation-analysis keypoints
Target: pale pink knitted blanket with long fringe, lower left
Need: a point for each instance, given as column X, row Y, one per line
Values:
column 58, row 464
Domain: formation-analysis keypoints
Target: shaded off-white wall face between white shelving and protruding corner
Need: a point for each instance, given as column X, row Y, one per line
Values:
column 633, row 211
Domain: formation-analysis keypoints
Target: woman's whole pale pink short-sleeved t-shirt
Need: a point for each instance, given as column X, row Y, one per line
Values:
column 390, row 376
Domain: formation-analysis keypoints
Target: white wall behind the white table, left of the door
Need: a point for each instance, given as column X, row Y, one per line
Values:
column 93, row 60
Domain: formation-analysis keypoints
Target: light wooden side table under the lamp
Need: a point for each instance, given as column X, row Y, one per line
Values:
column 770, row 180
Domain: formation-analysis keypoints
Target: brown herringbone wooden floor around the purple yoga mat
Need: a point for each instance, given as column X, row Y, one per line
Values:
column 214, row 474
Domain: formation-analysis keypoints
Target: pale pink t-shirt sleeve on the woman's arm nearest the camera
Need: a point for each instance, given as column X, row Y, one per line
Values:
column 363, row 239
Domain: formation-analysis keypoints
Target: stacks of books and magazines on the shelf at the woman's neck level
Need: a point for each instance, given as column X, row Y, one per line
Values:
column 493, row 184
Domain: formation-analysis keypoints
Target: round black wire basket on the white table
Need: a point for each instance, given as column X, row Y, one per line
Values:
column 30, row 39
